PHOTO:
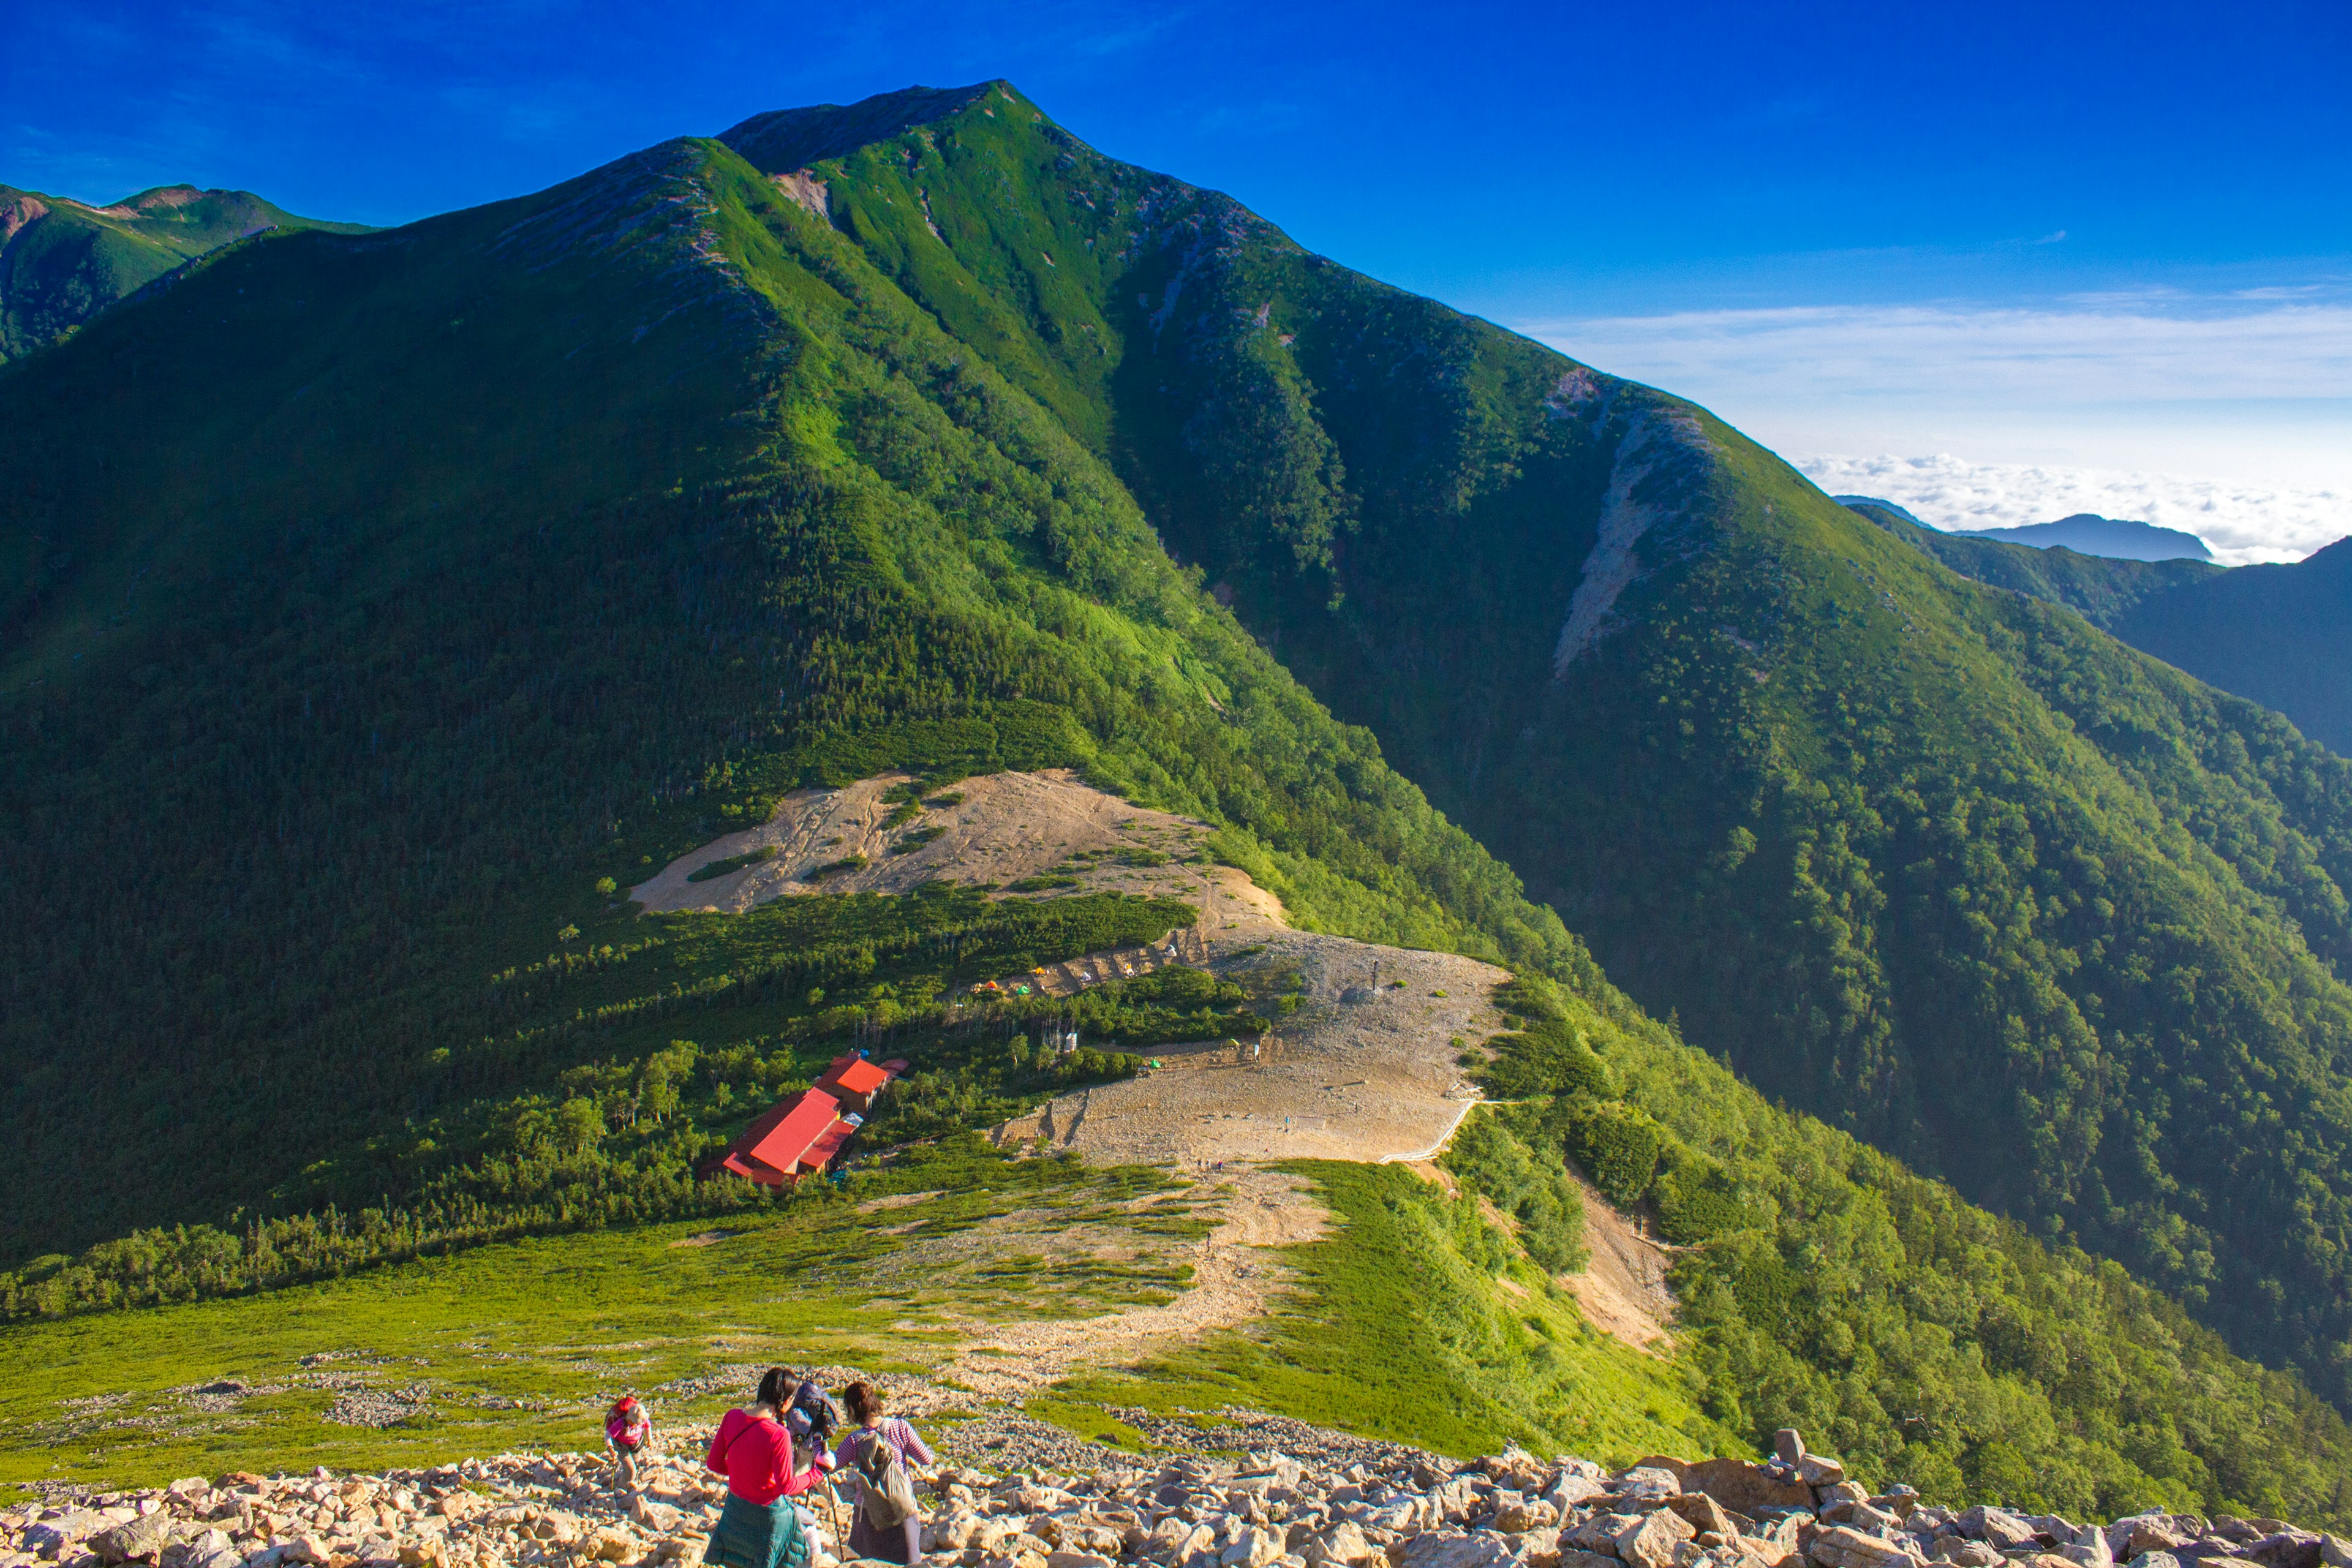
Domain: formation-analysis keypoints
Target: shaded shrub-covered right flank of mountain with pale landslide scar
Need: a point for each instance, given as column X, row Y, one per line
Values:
column 1949, row 866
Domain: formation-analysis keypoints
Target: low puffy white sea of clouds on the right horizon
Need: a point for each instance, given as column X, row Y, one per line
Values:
column 2245, row 523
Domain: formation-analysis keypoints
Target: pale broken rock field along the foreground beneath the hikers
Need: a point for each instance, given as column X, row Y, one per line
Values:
column 1347, row 1506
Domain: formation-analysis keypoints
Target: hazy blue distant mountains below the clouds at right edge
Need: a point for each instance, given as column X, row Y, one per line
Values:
column 2278, row 636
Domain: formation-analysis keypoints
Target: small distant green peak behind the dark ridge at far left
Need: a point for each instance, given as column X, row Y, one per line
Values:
column 62, row 262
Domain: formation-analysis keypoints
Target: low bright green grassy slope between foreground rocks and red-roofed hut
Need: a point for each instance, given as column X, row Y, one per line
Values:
column 554, row 1327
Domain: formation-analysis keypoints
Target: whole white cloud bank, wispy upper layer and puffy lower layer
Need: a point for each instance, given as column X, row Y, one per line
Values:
column 2224, row 415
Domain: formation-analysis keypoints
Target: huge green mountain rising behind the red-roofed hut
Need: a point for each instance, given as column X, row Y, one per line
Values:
column 465, row 572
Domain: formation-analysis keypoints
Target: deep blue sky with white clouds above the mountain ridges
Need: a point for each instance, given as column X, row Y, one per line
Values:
column 2022, row 241
